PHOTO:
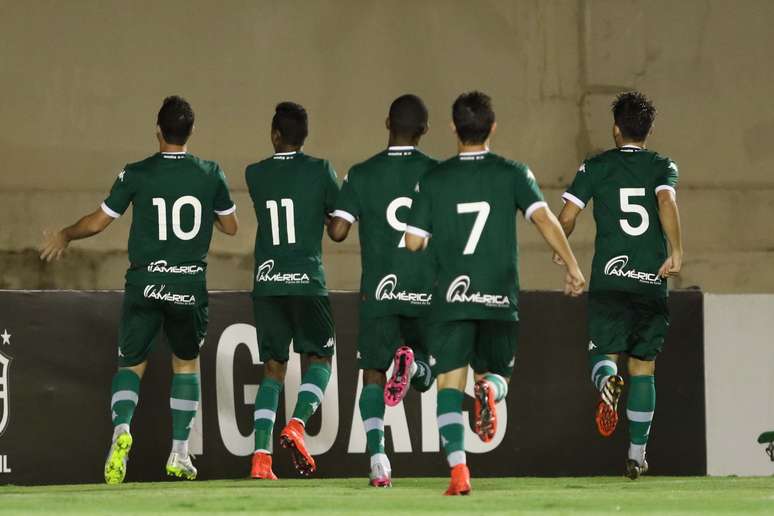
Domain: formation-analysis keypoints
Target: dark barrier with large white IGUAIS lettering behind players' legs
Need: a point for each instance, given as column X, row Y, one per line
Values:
column 59, row 353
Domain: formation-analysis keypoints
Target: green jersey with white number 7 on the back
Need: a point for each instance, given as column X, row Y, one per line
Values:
column 468, row 204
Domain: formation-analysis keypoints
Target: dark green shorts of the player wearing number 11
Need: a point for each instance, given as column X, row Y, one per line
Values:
column 305, row 320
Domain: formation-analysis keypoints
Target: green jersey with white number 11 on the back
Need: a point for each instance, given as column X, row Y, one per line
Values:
column 292, row 194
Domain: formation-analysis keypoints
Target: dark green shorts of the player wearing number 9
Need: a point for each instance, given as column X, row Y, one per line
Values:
column 380, row 337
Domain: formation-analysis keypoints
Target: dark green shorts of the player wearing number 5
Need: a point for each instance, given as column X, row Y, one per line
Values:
column 622, row 322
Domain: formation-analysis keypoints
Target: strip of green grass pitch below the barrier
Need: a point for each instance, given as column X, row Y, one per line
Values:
column 600, row 495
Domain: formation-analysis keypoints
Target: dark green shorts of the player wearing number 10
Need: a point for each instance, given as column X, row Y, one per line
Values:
column 180, row 309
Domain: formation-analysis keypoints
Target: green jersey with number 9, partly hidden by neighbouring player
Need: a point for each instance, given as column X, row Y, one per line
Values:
column 378, row 193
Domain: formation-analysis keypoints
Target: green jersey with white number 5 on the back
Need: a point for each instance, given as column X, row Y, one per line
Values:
column 630, row 245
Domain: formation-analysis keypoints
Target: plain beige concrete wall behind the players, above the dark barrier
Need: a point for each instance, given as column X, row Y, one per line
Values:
column 81, row 81
